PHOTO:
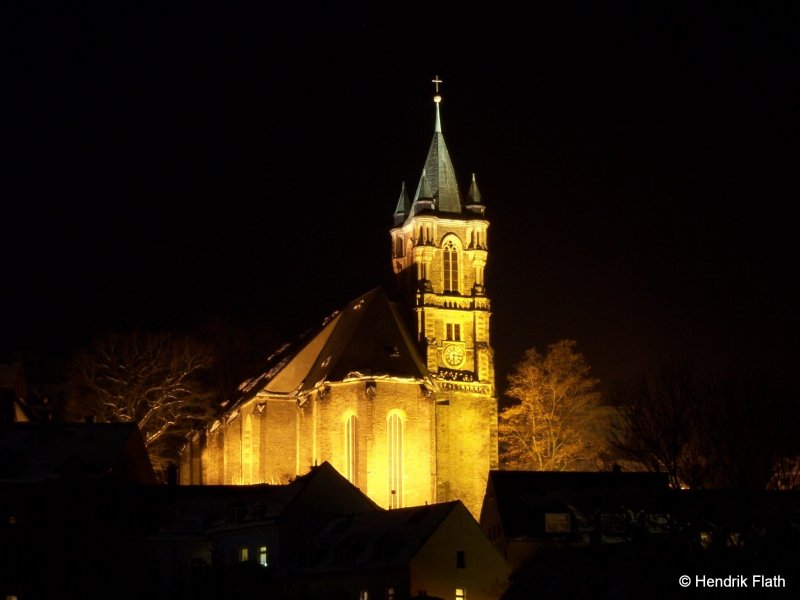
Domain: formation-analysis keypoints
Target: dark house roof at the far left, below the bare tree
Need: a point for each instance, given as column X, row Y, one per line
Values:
column 48, row 450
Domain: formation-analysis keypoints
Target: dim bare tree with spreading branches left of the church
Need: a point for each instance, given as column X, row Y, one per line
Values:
column 153, row 380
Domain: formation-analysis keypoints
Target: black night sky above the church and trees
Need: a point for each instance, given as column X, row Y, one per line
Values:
column 172, row 167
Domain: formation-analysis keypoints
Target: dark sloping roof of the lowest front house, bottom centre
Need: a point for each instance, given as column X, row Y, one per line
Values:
column 374, row 540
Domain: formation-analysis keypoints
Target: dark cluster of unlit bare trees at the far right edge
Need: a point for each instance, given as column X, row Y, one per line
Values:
column 708, row 432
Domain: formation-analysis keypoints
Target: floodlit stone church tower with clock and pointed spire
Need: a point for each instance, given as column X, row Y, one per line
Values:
column 439, row 254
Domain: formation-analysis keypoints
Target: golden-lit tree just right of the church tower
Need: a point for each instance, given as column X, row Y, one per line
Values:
column 546, row 429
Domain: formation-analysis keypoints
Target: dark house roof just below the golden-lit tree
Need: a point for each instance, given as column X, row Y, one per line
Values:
column 522, row 497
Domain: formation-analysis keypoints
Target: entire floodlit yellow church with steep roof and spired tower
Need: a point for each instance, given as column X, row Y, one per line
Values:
column 396, row 390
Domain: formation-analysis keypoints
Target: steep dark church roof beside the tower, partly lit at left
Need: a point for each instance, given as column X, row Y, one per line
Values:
column 366, row 339
